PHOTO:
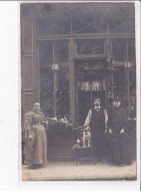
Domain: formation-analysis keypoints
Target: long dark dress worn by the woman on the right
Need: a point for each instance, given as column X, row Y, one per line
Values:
column 118, row 120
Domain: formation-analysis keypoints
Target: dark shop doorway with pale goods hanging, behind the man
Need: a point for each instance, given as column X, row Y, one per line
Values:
column 90, row 83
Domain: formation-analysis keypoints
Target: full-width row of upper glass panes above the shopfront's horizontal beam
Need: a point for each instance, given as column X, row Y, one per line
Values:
column 85, row 18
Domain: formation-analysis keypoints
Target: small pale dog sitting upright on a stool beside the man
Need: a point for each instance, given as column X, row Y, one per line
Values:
column 84, row 136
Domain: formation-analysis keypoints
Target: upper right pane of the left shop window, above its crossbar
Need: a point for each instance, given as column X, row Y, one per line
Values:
column 61, row 51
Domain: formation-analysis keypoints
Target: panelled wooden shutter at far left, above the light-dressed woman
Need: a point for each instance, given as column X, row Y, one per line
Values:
column 29, row 73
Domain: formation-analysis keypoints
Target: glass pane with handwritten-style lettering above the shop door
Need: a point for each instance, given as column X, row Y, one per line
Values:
column 90, row 46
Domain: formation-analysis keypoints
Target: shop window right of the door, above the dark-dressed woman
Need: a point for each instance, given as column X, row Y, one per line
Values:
column 124, row 76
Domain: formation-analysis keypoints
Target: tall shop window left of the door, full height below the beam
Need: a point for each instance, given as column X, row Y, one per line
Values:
column 54, row 78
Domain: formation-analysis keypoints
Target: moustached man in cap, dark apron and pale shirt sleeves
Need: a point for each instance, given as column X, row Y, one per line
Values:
column 97, row 120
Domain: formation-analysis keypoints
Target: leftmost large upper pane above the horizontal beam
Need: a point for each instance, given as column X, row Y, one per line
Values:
column 56, row 20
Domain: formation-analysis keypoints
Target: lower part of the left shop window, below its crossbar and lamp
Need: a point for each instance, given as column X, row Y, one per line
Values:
column 54, row 92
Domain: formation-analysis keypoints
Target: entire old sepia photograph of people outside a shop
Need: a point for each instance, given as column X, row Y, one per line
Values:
column 78, row 91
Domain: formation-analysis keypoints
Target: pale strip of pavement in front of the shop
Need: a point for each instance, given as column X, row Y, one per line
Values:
column 83, row 171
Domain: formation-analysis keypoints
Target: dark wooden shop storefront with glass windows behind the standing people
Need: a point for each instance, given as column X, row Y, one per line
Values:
column 71, row 53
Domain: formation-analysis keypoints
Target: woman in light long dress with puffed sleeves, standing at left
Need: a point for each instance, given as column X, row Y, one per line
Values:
column 36, row 145
